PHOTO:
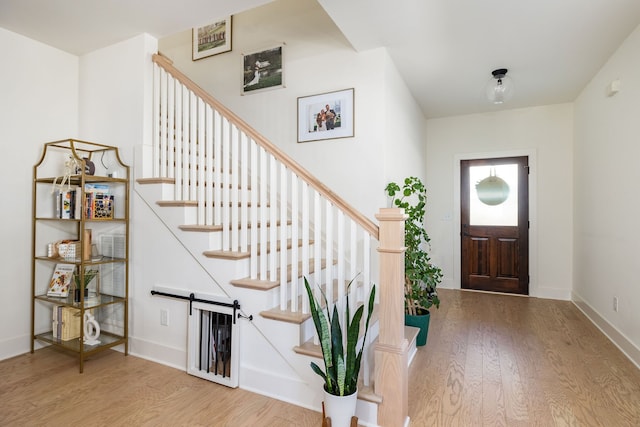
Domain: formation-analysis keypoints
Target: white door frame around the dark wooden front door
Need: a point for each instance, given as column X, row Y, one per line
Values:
column 533, row 208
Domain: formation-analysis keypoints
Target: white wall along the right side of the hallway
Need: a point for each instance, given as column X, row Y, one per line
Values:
column 607, row 209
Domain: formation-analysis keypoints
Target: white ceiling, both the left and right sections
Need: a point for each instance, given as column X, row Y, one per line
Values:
column 444, row 49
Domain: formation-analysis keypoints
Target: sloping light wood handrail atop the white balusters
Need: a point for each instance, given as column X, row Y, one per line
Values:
column 354, row 214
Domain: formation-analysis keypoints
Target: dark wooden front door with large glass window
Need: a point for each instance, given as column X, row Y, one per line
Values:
column 495, row 243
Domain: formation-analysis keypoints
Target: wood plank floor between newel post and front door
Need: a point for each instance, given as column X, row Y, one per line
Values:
column 502, row 360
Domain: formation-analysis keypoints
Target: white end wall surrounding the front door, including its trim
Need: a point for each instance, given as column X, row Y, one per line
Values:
column 546, row 134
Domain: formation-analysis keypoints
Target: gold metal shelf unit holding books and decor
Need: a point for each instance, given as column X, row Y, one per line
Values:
column 80, row 249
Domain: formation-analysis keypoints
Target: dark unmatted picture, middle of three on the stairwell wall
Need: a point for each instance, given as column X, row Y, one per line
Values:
column 262, row 70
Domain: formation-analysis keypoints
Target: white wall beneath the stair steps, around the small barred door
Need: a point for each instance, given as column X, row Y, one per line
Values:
column 169, row 258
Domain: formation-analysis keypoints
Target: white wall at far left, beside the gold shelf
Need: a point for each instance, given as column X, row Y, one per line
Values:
column 38, row 104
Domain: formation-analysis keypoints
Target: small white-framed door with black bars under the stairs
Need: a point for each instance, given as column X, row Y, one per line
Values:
column 213, row 344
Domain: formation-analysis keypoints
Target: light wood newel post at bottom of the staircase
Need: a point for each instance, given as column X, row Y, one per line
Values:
column 391, row 352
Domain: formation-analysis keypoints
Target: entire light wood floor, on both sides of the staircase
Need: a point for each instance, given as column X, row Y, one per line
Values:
column 491, row 360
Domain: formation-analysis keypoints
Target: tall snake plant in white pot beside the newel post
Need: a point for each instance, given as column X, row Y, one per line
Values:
column 341, row 362
